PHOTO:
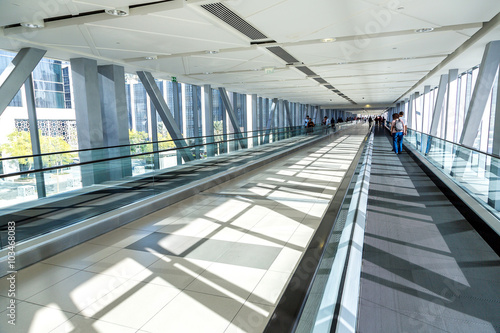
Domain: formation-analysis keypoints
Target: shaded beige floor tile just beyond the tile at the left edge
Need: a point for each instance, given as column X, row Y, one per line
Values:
column 81, row 256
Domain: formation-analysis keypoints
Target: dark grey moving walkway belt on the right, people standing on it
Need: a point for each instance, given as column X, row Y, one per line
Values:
column 425, row 269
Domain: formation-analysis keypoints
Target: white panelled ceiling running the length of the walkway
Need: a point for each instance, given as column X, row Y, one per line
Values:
column 377, row 57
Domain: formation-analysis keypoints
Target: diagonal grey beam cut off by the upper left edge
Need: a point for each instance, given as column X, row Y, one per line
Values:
column 16, row 73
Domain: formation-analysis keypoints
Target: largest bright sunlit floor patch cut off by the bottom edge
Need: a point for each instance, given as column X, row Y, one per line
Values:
column 193, row 312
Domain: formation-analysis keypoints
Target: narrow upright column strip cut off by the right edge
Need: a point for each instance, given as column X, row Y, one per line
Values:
column 494, row 181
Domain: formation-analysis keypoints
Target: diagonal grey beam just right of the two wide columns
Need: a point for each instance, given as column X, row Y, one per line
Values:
column 154, row 93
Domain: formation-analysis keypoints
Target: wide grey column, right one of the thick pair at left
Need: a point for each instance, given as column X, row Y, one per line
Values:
column 115, row 117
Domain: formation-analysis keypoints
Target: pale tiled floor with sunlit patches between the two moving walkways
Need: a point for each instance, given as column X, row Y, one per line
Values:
column 216, row 262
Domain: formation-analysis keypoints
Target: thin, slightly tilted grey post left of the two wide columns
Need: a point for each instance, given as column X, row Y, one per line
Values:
column 35, row 138
